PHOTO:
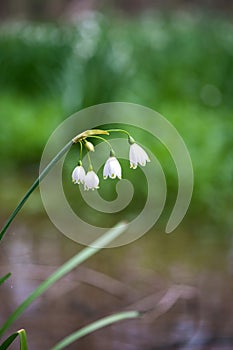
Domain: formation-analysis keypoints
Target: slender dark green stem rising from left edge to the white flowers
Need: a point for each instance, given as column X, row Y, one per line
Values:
column 34, row 186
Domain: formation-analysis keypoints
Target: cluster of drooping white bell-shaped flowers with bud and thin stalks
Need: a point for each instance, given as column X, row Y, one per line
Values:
column 112, row 167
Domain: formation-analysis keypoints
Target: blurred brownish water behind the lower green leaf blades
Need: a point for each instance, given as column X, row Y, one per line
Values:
column 184, row 279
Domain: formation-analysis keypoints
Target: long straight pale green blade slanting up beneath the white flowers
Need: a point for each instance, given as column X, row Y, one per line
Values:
column 87, row 252
